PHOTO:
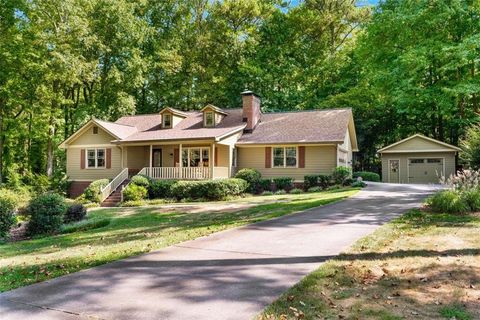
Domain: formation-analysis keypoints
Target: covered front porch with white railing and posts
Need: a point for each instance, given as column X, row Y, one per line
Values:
column 180, row 161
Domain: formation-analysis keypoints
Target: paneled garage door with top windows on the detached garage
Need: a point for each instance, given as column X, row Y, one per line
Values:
column 425, row 170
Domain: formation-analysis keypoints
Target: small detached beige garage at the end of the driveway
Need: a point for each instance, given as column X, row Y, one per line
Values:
column 417, row 159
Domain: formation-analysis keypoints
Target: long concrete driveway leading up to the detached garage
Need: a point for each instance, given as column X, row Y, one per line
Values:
column 229, row 275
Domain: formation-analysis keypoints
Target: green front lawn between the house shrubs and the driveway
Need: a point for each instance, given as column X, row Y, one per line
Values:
column 132, row 231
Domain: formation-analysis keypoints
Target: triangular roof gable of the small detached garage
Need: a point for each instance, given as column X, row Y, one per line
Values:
column 419, row 143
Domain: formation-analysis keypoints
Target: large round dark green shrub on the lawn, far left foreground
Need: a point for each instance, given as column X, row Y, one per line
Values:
column 46, row 214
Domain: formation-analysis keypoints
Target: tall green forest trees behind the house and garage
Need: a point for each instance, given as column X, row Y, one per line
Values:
column 403, row 66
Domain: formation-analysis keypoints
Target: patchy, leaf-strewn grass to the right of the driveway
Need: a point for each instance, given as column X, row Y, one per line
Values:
column 419, row 266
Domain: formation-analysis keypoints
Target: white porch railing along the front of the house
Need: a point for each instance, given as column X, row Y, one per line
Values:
column 185, row 173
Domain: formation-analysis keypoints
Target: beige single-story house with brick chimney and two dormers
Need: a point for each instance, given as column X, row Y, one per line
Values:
column 211, row 143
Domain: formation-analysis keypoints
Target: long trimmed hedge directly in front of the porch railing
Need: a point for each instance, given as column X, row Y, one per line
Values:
column 209, row 189
